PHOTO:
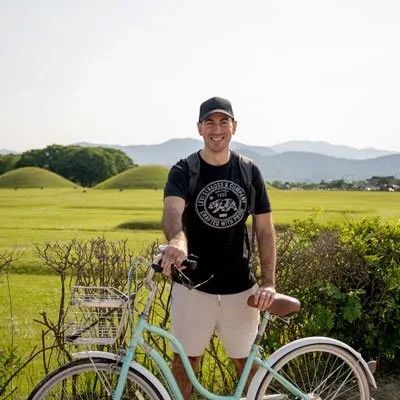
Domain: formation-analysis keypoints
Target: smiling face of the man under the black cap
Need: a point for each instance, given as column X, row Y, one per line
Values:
column 217, row 131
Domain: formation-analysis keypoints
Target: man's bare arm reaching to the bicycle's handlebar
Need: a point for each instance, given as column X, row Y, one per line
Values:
column 176, row 251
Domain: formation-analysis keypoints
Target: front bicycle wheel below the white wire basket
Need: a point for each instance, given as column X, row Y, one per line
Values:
column 93, row 379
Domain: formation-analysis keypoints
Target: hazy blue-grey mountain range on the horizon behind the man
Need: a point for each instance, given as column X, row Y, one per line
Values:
column 295, row 161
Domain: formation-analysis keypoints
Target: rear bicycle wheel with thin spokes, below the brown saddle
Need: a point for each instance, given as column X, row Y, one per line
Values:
column 322, row 371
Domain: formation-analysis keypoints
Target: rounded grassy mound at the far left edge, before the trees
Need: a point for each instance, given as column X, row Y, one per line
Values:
column 33, row 177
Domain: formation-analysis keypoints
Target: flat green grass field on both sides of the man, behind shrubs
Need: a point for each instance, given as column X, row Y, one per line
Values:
column 34, row 216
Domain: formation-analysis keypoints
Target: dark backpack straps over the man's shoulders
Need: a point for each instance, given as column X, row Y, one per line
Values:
column 246, row 170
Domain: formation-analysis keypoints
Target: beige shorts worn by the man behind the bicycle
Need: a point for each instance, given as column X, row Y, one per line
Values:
column 195, row 316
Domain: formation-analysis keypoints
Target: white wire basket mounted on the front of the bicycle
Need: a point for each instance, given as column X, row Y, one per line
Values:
column 96, row 315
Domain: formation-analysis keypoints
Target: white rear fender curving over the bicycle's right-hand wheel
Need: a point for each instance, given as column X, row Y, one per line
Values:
column 261, row 372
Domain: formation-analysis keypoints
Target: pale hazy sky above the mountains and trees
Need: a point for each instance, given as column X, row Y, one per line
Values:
column 135, row 72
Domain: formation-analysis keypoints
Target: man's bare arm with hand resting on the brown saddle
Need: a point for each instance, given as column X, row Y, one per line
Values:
column 266, row 240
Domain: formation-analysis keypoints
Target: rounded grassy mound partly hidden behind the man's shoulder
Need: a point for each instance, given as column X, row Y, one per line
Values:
column 145, row 177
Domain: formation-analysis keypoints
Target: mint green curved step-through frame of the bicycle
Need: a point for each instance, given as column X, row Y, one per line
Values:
column 137, row 339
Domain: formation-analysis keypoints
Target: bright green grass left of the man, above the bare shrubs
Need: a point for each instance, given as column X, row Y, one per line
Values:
column 33, row 216
